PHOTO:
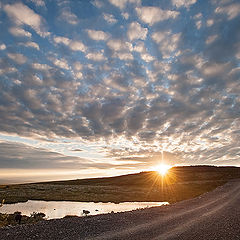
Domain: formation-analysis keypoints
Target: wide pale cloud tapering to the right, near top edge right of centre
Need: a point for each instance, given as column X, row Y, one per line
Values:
column 152, row 15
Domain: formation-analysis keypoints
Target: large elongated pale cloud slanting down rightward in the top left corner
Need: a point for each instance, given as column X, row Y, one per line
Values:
column 22, row 14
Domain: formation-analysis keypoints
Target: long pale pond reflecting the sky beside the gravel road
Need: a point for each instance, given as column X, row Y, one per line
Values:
column 59, row 209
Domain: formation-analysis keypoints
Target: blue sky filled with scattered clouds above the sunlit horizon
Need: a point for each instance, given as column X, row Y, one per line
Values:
column 108, row 87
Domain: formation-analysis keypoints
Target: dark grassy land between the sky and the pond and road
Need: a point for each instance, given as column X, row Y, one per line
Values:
column 179, row 184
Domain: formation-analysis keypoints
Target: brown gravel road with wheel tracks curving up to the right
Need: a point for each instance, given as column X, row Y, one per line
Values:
column 214, row 215
